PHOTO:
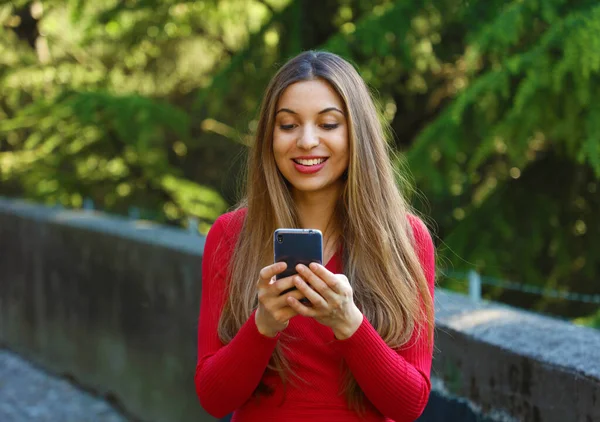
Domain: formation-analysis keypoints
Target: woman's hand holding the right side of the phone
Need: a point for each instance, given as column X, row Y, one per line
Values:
column 331, row 298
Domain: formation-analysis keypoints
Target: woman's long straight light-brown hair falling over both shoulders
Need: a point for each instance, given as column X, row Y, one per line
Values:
column 388, row 282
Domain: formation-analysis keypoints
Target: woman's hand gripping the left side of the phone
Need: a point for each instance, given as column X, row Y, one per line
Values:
column 273, row 313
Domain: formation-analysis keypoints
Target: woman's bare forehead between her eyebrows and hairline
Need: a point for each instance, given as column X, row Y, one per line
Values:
column 313, row 95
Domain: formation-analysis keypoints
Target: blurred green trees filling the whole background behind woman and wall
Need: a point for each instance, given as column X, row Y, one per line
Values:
column 148, row 106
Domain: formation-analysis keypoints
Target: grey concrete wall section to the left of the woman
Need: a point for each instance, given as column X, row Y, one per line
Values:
column 109, row 303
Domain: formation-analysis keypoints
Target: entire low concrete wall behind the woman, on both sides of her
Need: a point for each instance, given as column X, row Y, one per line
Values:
column 113, row 304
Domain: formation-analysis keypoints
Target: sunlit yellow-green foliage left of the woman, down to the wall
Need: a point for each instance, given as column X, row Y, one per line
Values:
column 96, row 106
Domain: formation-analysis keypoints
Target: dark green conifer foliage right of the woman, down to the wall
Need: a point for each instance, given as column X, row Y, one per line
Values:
column 516, row 151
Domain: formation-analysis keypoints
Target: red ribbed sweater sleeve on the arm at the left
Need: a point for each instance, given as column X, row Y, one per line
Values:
column 226, row 375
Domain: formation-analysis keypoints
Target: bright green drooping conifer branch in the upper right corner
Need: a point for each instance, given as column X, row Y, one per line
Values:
column 523, row 97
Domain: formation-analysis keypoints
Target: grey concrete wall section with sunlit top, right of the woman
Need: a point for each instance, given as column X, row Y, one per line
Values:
column 532, row 367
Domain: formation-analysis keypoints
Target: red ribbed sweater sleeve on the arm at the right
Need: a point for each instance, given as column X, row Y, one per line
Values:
column 396, row 382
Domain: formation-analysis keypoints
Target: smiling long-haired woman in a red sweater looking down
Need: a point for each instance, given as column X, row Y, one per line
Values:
column 362, row 348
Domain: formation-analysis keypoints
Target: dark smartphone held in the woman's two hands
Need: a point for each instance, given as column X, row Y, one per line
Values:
column 297, row 246
